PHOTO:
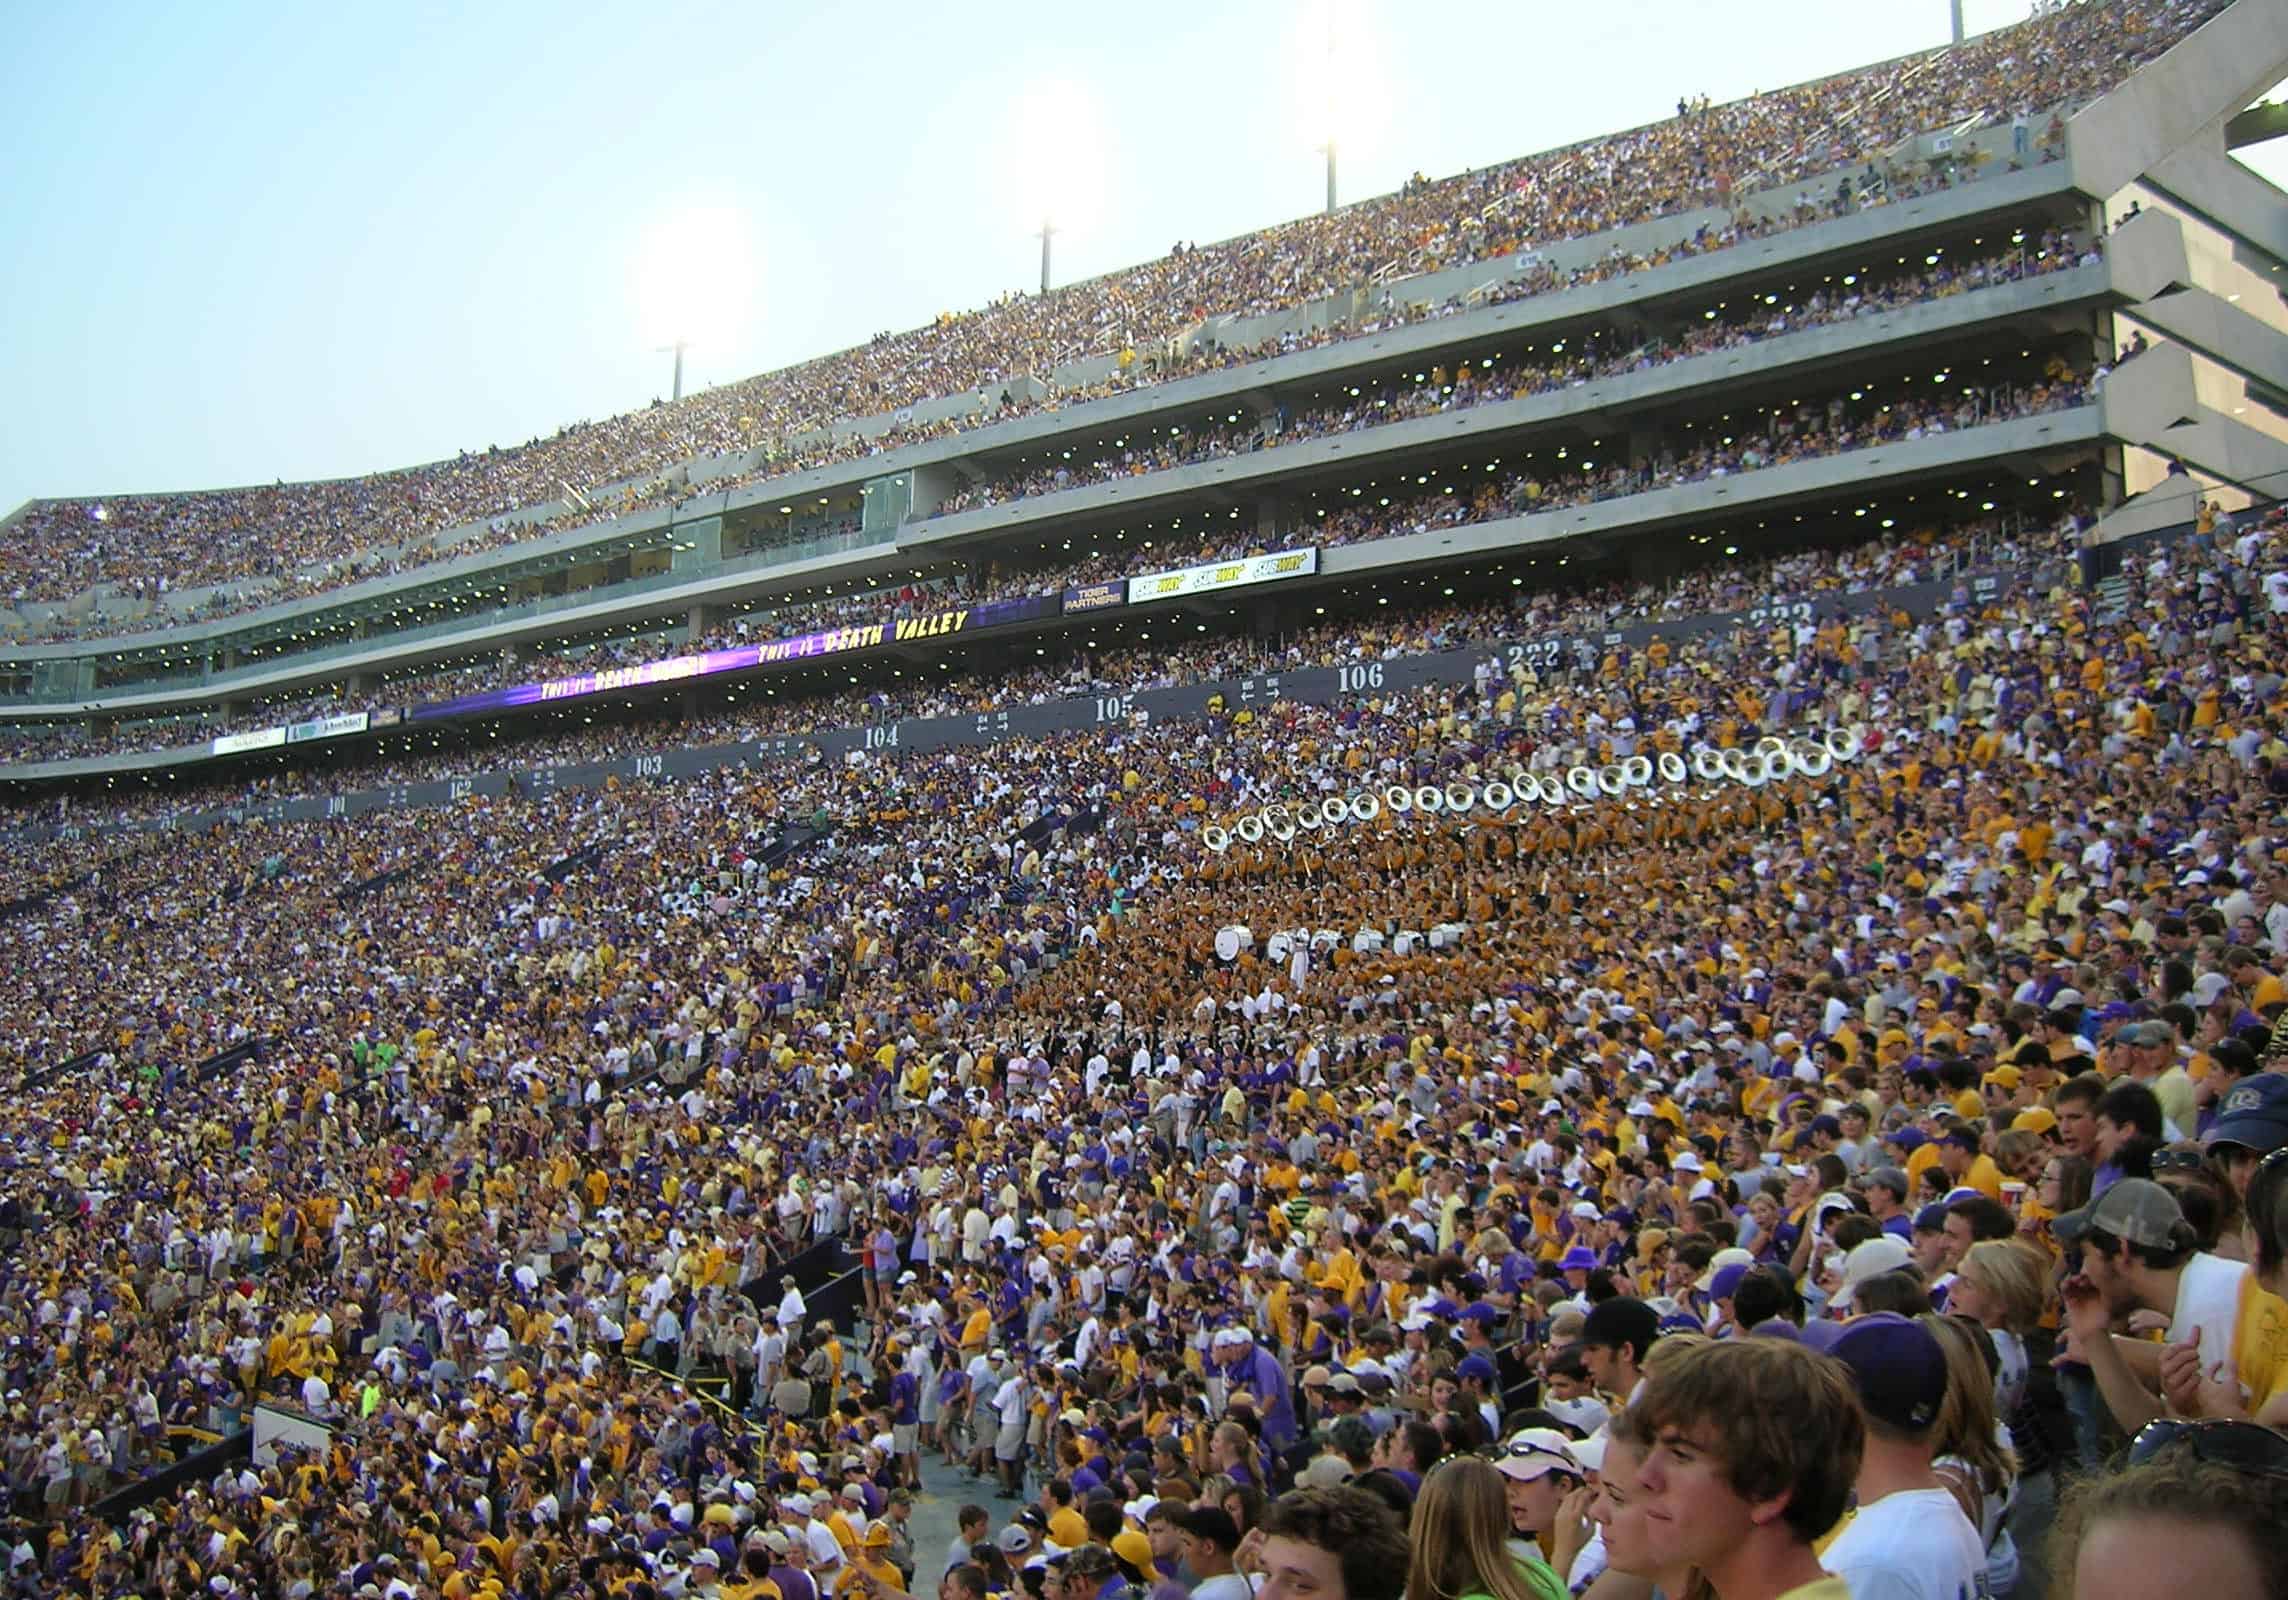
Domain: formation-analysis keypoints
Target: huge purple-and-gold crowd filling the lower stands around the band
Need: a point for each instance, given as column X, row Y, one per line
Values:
column 1717, row 1191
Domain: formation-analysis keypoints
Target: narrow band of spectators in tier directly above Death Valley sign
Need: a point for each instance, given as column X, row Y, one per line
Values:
column 1692, row 454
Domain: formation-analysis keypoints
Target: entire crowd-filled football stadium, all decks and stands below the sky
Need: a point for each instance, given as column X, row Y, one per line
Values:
column 1276, row 914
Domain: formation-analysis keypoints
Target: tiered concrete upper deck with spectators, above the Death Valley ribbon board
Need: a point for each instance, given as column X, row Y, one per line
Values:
column 1445, row 271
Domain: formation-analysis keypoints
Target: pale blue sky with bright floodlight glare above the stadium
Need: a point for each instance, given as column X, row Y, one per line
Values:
column 310, row 241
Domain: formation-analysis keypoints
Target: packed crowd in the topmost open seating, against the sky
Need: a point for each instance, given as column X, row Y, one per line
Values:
column 285, row 541
